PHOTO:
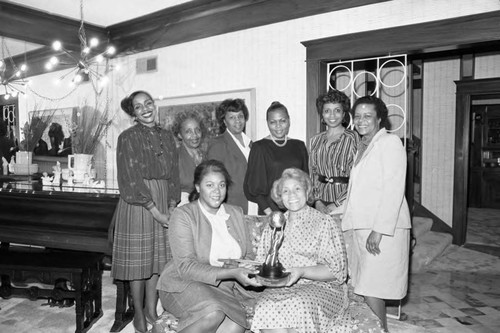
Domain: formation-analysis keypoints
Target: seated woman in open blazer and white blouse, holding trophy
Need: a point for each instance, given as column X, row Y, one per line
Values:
column 196, row 286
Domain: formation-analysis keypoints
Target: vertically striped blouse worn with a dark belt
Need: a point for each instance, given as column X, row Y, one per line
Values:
column 332, row 160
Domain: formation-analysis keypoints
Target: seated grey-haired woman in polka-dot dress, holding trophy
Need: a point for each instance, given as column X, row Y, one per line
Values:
column 313, row 252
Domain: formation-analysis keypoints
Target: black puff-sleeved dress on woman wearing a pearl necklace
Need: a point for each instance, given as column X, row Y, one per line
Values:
column 266, row 164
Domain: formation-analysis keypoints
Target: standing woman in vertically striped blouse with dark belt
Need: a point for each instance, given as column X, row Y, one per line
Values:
column 331, row 153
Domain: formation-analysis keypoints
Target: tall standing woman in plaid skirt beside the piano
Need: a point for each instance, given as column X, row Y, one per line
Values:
column 148, row 179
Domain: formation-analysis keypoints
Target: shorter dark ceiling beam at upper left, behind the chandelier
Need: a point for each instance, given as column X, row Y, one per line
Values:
column 23, row 23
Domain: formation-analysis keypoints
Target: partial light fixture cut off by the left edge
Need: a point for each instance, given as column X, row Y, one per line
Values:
column 13, row 81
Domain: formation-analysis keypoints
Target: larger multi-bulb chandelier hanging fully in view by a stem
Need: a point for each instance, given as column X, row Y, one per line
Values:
column 87, row 63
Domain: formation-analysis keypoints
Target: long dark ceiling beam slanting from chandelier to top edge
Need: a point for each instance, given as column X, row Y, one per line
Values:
column 206, row 18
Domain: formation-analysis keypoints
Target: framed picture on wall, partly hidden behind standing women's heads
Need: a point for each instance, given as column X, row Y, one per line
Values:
column 206, row 104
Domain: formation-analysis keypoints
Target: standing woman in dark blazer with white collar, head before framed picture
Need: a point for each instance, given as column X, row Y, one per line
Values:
column 232, row 148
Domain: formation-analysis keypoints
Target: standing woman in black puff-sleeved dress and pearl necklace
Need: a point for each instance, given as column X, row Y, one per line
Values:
column 270, row 156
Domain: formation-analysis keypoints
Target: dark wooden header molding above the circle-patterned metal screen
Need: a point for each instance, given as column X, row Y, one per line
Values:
column 480, row 30
